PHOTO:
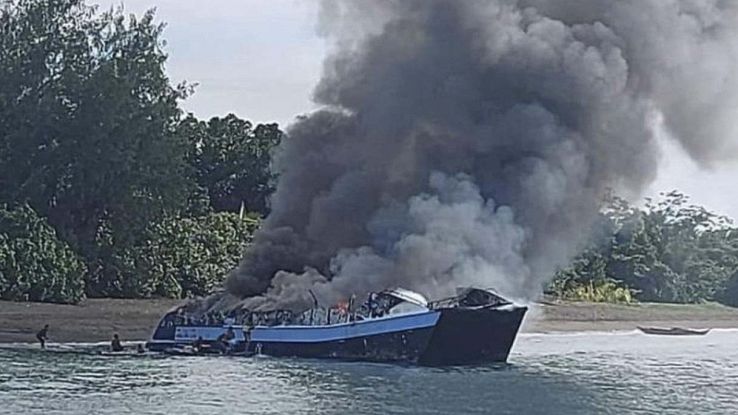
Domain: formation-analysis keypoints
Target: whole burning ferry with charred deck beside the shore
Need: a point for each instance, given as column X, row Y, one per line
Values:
column 474, row 327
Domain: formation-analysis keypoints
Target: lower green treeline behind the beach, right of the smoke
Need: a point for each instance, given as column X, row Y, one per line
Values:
column 667, row 251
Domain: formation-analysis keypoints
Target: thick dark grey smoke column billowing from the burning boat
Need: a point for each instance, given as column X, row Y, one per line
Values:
column 469, row 142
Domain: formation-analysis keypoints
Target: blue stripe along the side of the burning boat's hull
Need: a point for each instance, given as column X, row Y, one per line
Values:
column 316, row 334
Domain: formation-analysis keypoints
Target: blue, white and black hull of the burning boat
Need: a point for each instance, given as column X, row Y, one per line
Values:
column 435, row 336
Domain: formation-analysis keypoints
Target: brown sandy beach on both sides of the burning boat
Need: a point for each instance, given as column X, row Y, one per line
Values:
column 95, row 320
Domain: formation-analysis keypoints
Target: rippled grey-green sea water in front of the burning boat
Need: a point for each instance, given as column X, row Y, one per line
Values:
column 605, row 373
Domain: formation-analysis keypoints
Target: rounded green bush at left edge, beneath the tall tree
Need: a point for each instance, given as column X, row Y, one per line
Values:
column 35, row 265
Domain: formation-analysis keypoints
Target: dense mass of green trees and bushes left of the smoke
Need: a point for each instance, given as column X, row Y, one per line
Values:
column 107, row 188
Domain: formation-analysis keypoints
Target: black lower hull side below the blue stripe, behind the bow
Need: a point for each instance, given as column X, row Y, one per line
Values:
column 402, row 346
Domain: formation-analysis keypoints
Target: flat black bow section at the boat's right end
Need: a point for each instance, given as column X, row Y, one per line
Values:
column 473, row 336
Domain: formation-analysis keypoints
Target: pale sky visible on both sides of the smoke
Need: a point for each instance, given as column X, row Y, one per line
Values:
column 260, row 60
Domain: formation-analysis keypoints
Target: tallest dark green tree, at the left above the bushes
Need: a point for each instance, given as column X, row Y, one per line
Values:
column 88, row 126
